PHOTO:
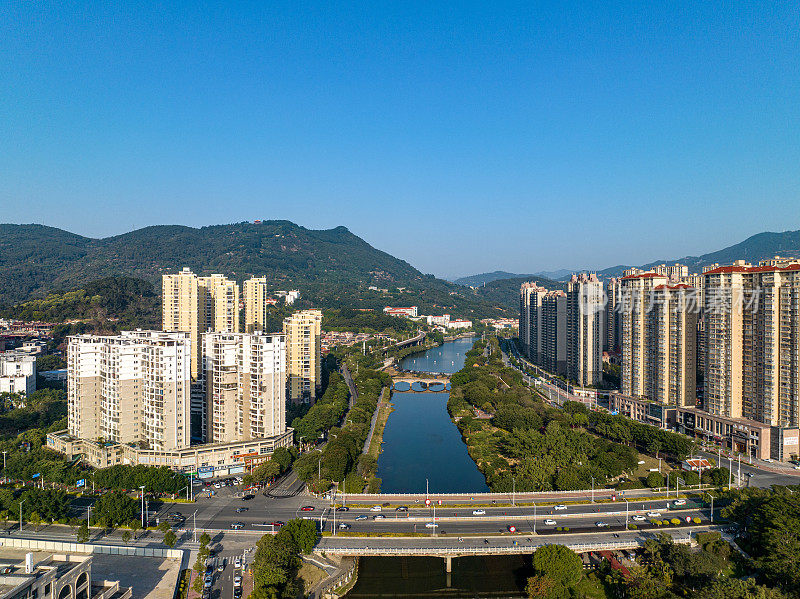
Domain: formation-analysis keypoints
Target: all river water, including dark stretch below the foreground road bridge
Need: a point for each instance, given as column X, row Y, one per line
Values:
column 422, row 442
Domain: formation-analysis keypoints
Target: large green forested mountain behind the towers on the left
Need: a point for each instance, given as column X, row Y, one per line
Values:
column 332, row 268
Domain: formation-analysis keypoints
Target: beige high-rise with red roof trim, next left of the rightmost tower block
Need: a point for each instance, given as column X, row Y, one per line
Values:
column 659, row 326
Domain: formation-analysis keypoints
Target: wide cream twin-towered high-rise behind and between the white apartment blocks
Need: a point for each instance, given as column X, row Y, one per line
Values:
column 196, row 305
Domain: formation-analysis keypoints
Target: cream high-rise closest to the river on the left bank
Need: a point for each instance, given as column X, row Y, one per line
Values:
column 303, row 354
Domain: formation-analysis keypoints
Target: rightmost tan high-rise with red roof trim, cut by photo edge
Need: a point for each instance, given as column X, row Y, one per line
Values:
column 752, row 343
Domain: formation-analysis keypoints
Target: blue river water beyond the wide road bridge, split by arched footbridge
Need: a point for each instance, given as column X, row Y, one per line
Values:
column 420, row 440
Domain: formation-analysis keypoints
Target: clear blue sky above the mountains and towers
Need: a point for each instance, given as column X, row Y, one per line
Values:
column 462, row 137
